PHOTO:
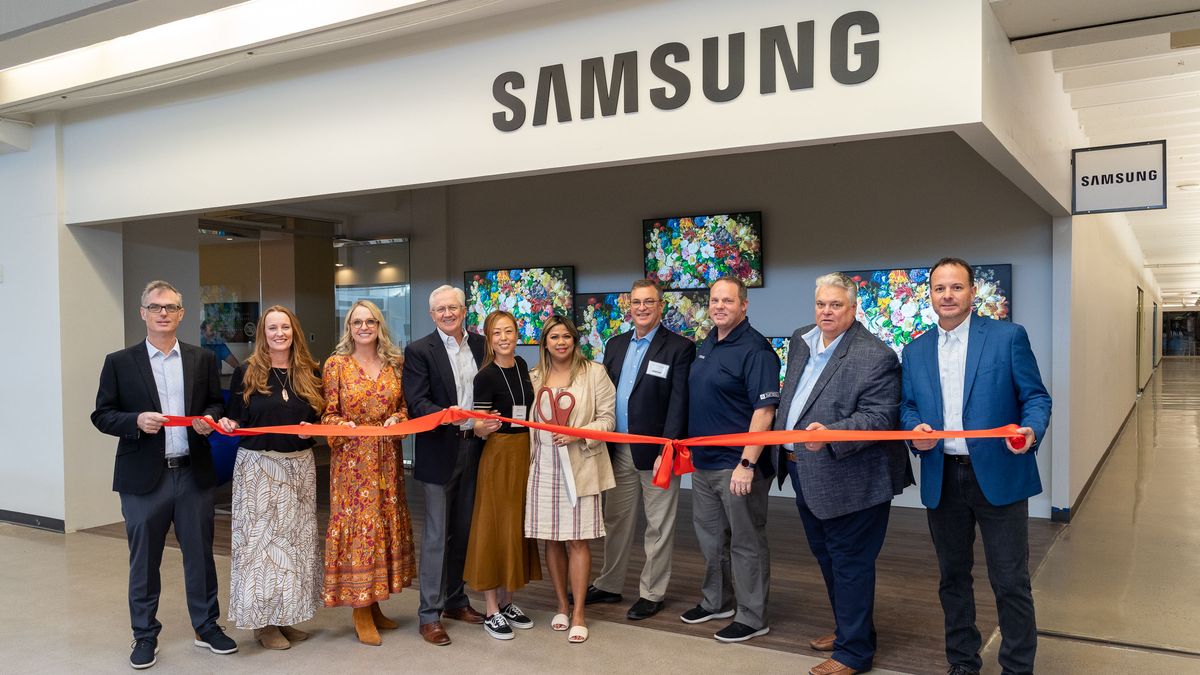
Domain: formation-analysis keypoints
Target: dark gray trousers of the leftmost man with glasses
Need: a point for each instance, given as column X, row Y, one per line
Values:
column 176, row 500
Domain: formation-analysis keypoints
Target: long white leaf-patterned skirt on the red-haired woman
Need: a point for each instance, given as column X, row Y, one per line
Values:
column 277, row 565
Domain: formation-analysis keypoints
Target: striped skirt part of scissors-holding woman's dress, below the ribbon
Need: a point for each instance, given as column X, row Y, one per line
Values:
column 549, row 512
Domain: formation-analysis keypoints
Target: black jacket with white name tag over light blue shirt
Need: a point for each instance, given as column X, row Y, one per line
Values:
column 658, row 407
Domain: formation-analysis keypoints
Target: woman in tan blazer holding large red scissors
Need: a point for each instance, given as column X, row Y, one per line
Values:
column 550, row 516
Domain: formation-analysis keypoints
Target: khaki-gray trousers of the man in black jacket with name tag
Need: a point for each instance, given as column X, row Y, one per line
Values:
column 621, row 505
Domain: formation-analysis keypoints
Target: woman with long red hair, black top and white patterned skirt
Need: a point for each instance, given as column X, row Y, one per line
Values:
column 277, row 569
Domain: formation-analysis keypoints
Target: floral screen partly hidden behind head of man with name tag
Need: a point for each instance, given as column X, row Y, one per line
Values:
column 601, row 316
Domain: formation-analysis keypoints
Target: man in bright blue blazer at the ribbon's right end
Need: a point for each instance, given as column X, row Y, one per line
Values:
column 976, row 373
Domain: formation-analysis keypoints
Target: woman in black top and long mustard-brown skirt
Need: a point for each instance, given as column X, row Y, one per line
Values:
column 500, row 559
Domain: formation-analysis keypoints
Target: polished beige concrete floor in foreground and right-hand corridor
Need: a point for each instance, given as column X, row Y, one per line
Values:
column 1118, row 593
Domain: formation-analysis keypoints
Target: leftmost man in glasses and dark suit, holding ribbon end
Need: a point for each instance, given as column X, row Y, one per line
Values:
column 165, row 476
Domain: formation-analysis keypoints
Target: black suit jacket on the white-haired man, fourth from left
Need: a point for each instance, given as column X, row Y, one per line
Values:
column 430, row 389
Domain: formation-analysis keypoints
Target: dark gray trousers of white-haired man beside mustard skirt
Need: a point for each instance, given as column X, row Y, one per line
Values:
column 448, row 511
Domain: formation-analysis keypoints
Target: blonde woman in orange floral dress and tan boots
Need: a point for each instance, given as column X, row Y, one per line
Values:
column 369, row 546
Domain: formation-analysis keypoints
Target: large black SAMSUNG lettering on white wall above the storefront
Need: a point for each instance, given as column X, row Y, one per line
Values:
column 849, row 64
